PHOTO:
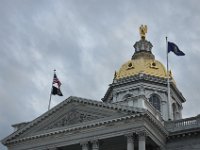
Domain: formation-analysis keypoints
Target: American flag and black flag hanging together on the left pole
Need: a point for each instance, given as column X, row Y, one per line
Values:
column 56, row 86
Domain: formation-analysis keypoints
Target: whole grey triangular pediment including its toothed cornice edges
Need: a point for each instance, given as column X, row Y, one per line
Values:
column 71, row 113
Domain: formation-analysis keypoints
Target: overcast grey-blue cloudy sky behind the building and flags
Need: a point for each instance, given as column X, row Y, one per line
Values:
column 86, row 41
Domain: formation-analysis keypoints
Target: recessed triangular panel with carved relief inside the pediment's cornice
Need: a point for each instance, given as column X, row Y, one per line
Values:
column 71, row 115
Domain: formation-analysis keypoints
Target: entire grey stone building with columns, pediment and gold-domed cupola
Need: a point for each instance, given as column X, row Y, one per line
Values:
column 134, row 114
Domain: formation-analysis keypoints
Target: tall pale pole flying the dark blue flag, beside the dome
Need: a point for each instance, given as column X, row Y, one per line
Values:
column 168, row 82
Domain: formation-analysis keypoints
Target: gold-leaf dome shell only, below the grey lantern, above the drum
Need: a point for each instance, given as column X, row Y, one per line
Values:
column 142, row 62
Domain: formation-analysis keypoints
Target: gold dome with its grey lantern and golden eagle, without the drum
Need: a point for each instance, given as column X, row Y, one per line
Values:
column 143, row 61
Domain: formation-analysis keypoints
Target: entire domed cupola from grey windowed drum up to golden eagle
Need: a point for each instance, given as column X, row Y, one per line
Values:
column 141, row 82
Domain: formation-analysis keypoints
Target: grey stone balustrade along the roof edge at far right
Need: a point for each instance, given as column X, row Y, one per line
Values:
column 182, row 124
